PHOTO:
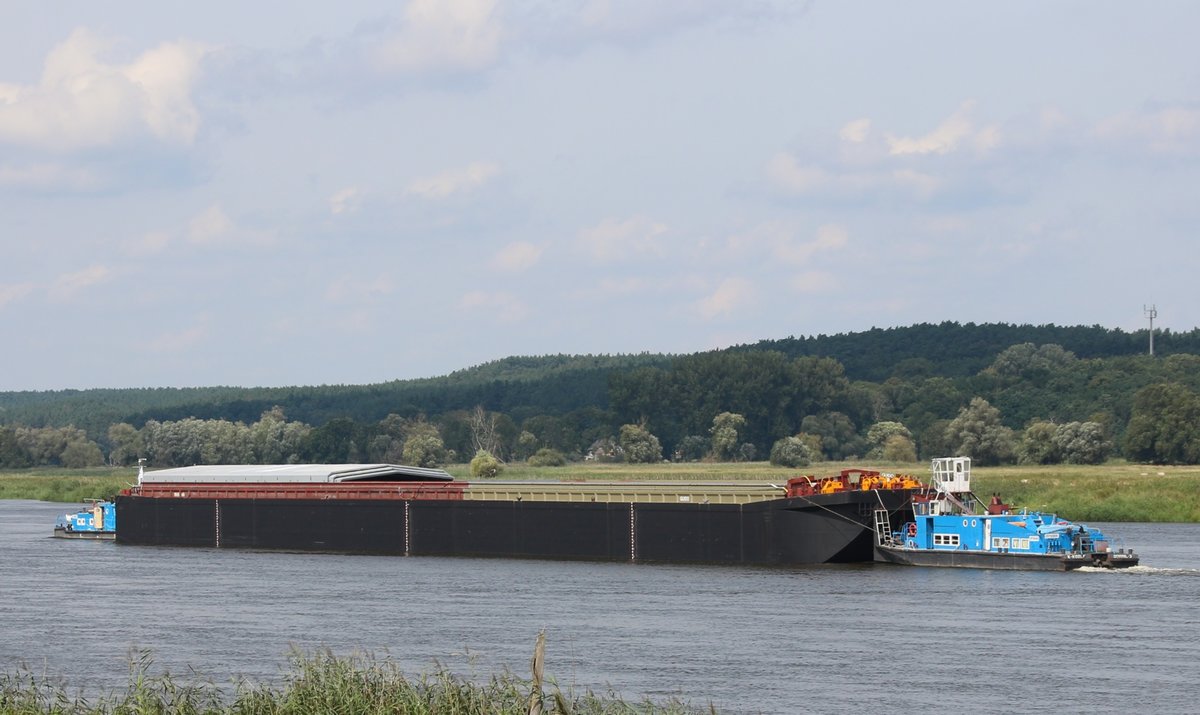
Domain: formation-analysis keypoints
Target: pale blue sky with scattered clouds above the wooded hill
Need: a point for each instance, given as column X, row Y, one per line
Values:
column 302, row 193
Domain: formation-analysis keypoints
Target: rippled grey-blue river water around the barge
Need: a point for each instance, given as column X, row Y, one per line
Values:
column 866, row 639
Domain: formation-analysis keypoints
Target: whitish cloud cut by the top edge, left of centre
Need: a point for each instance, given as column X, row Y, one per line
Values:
column 443, row 35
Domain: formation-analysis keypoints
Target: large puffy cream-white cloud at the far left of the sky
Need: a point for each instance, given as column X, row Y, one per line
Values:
column 85, row 103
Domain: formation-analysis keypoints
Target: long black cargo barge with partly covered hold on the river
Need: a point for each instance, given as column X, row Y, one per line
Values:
column 387, row 509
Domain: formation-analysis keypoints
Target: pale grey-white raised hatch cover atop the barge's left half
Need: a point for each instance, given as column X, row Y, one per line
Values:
column 293, row 473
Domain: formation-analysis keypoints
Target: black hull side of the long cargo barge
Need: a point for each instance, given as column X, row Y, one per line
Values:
column 827, row 528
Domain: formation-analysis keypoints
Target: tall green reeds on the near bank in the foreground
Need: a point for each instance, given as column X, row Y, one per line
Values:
column 322, row 683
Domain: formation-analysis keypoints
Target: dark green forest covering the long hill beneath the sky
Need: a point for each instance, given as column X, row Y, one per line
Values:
column 998, row 392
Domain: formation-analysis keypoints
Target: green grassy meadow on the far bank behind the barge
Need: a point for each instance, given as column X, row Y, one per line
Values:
column 1113, row 492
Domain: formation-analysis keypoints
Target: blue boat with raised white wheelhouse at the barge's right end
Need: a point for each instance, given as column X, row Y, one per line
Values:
column 950, row 528
